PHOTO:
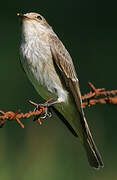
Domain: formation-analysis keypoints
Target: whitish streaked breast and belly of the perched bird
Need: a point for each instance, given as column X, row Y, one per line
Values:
column 38, row 64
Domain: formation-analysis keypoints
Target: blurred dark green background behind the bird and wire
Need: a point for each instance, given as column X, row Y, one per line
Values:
column 89, row 31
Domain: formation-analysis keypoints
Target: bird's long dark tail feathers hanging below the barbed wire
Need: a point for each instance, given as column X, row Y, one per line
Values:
column 92, row 152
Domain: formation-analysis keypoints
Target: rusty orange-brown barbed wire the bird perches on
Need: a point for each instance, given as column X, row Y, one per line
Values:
column 95, row 96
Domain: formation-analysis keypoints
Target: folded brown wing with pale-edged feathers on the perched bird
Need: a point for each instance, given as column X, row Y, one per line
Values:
column 64, row 61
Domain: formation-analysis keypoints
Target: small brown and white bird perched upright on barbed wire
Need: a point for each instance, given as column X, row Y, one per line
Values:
column 50, row 69
